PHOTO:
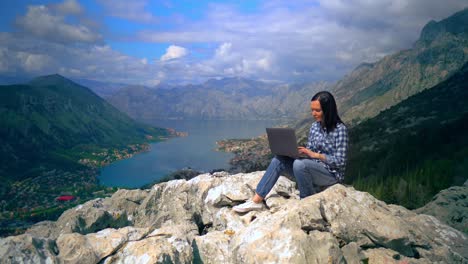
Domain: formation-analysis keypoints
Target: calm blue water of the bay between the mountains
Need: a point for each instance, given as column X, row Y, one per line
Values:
column 195, row 151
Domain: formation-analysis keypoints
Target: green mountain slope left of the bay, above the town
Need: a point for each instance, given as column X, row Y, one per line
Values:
column 52, row 119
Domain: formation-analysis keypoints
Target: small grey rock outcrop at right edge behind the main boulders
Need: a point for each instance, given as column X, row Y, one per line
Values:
column 450, row 207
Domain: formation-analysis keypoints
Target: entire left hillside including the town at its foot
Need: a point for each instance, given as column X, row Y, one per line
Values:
column 54, row 133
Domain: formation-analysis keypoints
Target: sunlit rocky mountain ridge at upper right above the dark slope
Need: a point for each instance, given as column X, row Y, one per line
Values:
column 372, row 87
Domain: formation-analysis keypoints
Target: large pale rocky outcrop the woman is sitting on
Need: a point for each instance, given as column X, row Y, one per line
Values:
column 192, row 222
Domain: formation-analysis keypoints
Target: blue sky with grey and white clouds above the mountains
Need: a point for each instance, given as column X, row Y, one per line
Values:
column 148, row 42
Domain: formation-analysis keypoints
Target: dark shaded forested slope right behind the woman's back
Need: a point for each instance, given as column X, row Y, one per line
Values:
column 411, row 151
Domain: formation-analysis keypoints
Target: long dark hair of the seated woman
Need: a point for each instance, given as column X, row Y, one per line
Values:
column 330, row 118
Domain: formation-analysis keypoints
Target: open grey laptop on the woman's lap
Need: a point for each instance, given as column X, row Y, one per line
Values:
column 283, row 142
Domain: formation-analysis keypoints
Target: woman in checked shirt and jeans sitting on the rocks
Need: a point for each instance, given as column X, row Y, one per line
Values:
column 325, row 153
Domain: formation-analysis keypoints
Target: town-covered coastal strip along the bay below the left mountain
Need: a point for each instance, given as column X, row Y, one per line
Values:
column 35, row 199
